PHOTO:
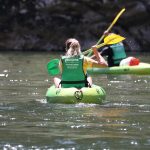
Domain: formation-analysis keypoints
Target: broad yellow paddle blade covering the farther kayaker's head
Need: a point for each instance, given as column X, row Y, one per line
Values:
column 113, row 39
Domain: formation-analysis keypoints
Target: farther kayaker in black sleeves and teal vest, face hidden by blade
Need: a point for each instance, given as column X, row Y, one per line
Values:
column 115, row 53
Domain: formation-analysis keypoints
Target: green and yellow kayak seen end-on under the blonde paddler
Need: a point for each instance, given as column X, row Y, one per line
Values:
column 95, row 95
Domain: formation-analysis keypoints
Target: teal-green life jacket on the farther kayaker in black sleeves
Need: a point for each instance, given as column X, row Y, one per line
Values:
column 118, row 52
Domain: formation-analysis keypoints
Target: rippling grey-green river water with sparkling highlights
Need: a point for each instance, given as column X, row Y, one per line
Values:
column 28, row 122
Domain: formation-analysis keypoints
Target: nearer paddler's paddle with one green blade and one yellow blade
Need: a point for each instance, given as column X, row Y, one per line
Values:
column 53, row 65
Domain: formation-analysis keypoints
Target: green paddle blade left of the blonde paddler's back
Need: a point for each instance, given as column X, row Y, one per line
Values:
column 53, row 67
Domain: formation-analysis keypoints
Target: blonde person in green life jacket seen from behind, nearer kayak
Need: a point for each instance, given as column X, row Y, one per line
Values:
column 74, row 66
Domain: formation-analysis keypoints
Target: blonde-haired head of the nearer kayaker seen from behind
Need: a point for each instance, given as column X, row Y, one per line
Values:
column 72, row 47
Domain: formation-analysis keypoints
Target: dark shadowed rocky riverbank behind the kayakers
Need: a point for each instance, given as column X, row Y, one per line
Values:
column 46, row 24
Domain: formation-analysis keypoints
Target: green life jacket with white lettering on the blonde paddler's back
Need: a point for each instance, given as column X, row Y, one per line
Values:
column 72, row 72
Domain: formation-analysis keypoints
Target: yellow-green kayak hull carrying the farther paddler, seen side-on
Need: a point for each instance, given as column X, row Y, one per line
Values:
column 141, row 69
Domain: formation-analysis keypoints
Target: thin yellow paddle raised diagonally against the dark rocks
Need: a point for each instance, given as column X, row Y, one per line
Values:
column 109, row 28
